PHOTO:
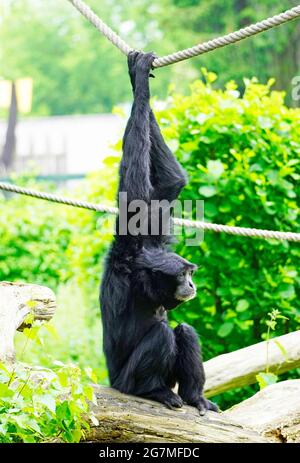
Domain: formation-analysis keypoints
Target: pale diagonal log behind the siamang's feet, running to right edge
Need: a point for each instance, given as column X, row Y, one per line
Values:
column 239, row 368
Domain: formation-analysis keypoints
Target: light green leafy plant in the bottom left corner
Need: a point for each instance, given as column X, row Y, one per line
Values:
column 40, row 404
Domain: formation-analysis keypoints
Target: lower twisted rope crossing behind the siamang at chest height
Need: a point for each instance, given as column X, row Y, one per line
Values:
column 241, row 231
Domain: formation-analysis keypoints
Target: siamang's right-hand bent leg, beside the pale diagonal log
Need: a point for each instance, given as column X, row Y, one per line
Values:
column 189, row 369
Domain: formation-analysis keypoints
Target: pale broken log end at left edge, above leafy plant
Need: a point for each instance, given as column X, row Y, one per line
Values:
column 16, row 302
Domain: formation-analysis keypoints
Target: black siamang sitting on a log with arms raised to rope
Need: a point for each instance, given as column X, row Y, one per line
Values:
column 143, row 279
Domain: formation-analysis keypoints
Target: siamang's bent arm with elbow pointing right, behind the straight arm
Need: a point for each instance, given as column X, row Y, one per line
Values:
column 167, row 176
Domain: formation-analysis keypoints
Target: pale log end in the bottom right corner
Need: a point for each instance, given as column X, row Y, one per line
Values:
column 274, row 412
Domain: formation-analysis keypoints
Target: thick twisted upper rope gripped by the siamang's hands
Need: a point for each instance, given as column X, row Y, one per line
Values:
column 199, row 49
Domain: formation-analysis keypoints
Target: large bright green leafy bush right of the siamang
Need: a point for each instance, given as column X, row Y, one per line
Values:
column 242, row 157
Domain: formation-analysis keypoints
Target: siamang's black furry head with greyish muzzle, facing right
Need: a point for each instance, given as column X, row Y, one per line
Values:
column 169, row 277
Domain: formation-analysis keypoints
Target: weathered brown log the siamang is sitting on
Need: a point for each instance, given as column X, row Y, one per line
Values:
column 124, row 418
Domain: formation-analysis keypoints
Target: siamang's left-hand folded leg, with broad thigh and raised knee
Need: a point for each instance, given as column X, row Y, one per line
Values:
column 149, row 371
